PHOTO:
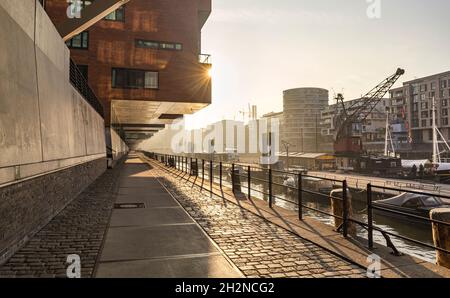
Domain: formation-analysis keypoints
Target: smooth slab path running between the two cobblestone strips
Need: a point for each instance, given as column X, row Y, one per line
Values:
column 159, row 240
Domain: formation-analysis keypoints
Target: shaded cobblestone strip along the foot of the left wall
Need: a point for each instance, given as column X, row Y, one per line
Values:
column 78, row 229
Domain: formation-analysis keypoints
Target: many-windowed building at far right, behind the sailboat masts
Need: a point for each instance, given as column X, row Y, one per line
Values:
column 411, row 110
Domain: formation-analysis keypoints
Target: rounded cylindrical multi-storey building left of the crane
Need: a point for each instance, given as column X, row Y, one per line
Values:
column 301, row 118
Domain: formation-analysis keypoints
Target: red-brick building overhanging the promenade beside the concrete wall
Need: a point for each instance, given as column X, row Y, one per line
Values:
column 144, row 62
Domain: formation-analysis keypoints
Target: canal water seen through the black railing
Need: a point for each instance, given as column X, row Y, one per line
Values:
column 287, row 198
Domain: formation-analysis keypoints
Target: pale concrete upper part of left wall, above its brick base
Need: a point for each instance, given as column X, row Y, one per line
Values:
column 45, row 124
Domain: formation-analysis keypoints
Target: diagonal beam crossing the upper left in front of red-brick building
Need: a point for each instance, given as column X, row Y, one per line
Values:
column 89, row 16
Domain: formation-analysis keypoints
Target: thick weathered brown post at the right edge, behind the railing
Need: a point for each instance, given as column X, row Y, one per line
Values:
column 441, row 235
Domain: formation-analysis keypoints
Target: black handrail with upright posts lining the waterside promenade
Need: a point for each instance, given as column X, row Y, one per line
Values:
column 346, row 217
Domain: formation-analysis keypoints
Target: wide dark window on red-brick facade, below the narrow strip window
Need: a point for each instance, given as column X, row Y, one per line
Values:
column 134, row 79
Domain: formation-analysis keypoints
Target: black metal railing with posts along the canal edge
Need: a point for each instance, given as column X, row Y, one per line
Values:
column 185, row 166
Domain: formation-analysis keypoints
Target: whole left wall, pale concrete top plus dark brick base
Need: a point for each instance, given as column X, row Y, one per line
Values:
column 52, row 142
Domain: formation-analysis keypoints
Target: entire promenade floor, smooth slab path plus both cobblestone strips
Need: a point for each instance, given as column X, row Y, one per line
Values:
column 208, row 237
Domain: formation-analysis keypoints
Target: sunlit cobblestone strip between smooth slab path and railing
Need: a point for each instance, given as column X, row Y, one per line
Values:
column 257, row 247
